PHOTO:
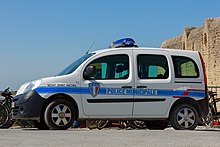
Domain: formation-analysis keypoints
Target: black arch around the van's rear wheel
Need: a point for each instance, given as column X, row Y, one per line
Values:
column 185, row 100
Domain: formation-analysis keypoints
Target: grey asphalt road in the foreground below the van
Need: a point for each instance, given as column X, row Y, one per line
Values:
column 201, row 137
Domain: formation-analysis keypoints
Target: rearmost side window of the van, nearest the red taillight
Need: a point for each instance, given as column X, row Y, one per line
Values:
column 185, row 67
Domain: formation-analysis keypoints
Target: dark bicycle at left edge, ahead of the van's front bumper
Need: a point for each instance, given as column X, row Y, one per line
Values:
column 6, row 109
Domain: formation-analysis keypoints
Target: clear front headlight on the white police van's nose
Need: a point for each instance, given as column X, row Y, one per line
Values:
column 27, row 87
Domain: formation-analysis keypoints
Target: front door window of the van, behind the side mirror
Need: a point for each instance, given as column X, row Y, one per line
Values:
column 111, row 67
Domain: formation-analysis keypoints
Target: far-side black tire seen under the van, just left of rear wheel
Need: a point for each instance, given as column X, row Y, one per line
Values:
column 156, row 125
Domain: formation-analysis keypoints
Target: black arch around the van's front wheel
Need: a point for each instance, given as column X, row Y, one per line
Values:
column 60, row 96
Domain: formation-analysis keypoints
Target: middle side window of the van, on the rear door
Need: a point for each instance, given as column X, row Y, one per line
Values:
column 152, row 67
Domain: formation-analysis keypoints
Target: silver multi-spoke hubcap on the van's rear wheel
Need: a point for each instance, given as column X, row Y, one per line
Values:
column 186, row 118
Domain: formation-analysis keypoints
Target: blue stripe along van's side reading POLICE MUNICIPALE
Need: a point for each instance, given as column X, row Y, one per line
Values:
column 122, row 91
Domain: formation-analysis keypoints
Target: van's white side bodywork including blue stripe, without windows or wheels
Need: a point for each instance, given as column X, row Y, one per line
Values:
column 139, row 104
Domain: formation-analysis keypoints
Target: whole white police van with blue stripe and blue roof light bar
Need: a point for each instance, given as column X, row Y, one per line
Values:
column 159, row 86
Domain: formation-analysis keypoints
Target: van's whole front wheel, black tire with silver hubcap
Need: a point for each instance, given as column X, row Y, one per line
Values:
column 59, row 115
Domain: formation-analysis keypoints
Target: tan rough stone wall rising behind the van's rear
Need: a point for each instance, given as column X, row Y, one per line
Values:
column 205, row 39
